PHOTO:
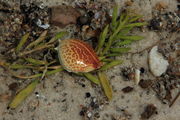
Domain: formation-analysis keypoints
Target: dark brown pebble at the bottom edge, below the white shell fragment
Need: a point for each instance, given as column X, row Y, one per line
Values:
column 149, row 111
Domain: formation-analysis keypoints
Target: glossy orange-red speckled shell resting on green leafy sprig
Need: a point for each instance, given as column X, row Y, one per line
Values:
column 77, row 56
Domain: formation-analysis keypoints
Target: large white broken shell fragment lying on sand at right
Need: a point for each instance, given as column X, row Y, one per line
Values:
column 158, row 65
